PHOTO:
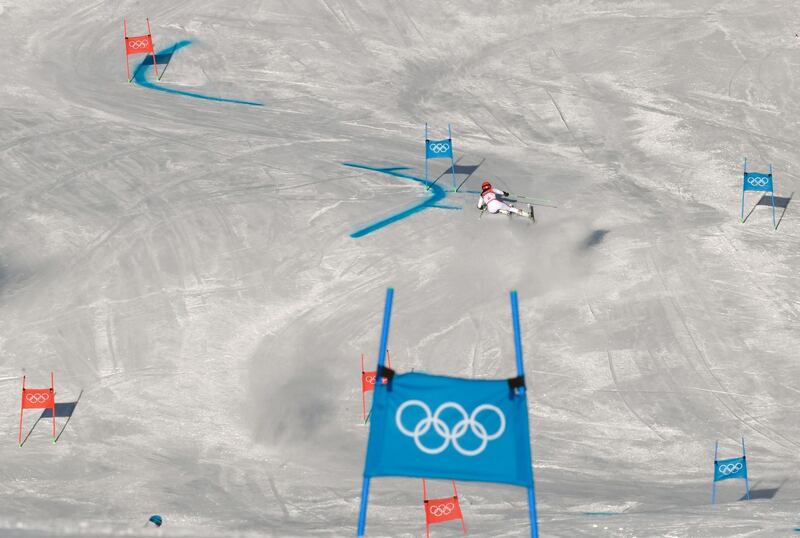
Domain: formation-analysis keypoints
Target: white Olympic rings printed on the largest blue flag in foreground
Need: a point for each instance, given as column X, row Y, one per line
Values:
column 444, row 431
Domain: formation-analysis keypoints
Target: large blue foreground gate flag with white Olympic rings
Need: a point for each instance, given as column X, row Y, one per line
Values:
column 429, row 426
